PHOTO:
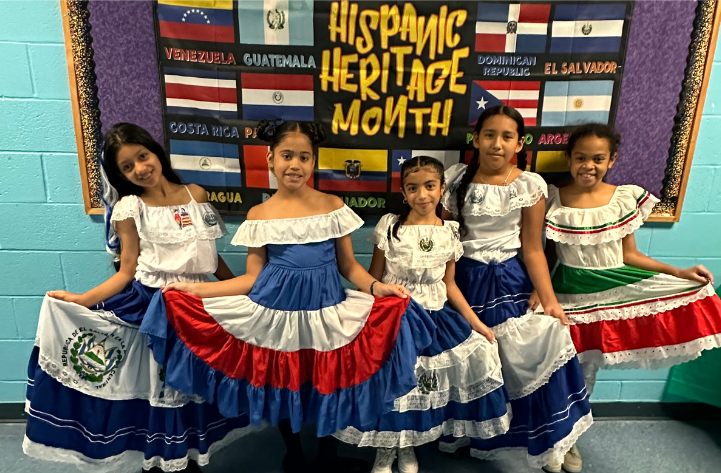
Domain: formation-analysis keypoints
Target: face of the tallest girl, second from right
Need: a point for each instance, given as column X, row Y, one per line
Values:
column 497, row 142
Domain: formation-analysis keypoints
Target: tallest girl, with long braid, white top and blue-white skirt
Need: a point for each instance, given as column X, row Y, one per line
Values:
column 501, row 211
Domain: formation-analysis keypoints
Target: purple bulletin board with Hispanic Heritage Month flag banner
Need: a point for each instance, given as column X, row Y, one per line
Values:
column 389, row 80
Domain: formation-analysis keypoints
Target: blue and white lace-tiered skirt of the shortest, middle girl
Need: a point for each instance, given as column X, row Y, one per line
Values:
column 460, row 392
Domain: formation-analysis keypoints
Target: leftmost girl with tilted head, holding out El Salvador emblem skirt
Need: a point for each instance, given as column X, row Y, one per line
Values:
column 95, row 395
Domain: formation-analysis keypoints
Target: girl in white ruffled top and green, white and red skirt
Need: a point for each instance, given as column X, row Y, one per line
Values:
column 627, row 310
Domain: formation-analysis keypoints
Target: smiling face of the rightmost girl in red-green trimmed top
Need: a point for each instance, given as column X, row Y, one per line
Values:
column 590, row 160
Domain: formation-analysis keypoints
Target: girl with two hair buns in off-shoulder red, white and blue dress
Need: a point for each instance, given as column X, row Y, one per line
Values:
column 286, row 342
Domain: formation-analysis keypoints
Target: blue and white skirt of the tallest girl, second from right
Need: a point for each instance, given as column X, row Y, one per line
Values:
column 540, row 369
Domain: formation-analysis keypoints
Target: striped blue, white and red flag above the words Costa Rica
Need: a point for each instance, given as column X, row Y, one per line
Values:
column 201, row 92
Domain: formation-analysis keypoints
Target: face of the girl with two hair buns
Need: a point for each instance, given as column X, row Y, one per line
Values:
column 292, row 161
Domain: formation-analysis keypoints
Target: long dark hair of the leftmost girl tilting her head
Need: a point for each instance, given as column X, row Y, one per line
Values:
column 122, row 134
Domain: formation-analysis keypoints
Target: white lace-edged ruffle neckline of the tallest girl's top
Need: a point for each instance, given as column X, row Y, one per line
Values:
column 483, row 199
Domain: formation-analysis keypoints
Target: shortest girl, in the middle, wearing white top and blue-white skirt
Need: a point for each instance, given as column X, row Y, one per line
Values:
column 460, row 390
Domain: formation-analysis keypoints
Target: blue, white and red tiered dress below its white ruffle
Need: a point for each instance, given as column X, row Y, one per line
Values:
column 298, row 347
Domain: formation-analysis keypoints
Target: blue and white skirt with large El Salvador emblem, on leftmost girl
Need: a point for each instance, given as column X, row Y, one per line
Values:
column 96, row 397
